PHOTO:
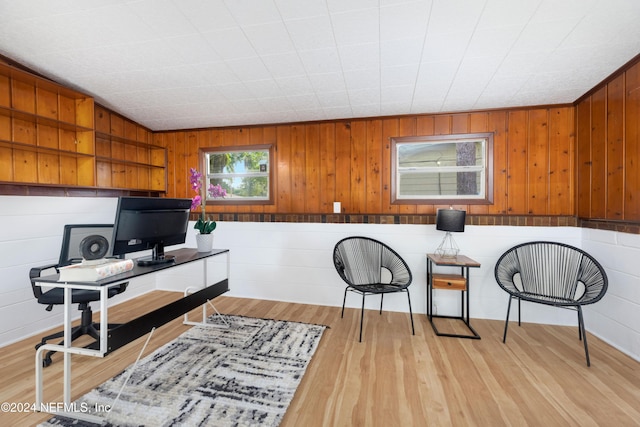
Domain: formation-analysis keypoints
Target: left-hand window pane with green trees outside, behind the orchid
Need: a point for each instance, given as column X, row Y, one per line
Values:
column 244, row 174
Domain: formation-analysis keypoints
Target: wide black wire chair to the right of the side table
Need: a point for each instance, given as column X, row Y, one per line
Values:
column 554, row 274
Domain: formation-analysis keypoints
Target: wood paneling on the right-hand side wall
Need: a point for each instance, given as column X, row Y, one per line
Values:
column 608, row 149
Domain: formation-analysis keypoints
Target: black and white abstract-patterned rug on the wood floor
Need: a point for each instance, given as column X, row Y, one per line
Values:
column 245, row 375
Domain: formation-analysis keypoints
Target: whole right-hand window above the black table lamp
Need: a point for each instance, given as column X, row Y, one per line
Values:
column 443, row 169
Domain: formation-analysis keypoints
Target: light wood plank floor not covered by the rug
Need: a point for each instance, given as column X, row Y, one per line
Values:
column 539, row 378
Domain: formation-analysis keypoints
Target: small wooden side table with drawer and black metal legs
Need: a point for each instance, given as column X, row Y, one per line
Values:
column 454, row 282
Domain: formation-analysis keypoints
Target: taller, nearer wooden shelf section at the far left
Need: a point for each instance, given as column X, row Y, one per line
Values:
column 46, row 132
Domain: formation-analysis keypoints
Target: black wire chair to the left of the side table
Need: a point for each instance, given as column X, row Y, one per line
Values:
column 371, row 267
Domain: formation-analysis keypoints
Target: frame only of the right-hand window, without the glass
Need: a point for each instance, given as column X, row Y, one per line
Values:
column 441, row 139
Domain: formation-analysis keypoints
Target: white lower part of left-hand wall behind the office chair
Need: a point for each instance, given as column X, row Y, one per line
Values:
column 31, row 236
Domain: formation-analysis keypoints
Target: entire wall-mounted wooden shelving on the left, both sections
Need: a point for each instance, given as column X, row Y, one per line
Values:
column 54, row 136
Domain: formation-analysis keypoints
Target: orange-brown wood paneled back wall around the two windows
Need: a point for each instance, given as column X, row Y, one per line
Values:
column 349, row 161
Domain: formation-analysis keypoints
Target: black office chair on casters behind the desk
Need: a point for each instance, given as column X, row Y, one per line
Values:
column 70, row 253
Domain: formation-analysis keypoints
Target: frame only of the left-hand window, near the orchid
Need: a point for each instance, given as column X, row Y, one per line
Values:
column 203, row 154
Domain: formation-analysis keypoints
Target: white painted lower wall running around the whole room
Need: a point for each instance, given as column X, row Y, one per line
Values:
column 293, row 262
